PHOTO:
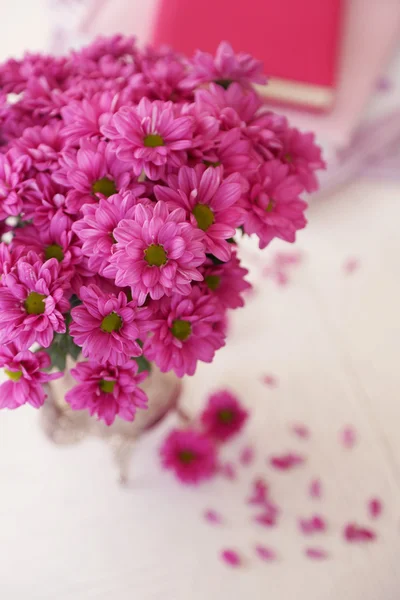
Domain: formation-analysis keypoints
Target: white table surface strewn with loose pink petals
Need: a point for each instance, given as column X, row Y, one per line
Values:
column 68, row 531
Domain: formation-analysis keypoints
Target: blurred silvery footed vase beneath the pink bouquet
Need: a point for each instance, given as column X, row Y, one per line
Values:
column 66, row 426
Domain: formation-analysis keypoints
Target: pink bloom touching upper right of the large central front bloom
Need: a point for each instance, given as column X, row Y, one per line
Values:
column 210, row 203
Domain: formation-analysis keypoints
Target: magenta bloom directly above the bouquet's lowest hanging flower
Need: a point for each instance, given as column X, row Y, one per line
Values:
column 107, row 327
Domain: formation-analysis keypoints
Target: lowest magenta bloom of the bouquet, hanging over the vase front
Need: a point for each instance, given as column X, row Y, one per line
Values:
column 107, row 391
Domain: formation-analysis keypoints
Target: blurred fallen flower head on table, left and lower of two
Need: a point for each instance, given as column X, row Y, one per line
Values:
column 190, row 454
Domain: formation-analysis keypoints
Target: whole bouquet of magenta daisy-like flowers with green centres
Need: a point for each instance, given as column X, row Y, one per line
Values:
column 125, row 175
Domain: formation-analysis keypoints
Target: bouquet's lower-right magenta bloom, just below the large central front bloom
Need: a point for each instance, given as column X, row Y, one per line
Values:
column 186, row 330
